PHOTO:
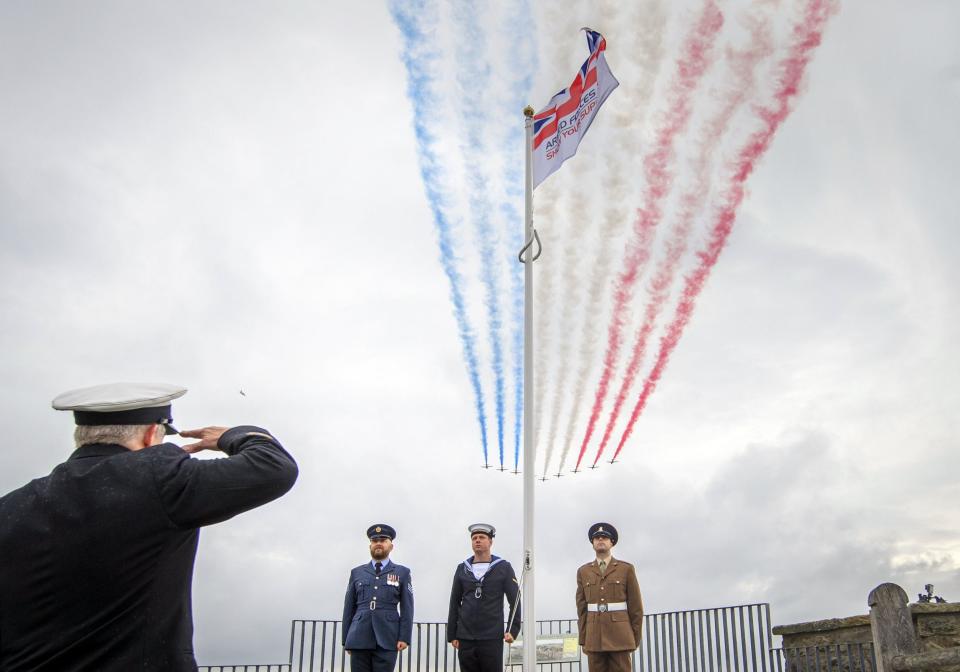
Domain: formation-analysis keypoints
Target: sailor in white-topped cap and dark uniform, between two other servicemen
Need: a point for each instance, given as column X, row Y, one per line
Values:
column 475, row 623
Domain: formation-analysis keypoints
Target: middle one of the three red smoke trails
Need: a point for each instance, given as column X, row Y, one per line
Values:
column 743, row 65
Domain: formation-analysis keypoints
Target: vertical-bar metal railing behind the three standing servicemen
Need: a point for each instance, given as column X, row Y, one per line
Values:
column 724, row 639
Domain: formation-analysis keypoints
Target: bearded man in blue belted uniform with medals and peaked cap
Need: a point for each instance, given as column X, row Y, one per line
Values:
column 373, row 631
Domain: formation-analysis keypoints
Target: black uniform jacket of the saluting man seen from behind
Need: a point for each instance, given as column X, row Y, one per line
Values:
column 96, row 559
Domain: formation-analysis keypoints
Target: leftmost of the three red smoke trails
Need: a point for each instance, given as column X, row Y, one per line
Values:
column 659, row 178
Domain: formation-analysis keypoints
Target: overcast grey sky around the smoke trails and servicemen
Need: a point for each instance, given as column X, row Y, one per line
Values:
column 227, row 195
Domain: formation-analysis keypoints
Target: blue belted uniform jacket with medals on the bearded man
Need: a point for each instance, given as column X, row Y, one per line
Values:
column 370, row 618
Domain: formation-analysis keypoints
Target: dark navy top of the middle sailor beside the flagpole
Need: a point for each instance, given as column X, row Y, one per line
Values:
column 473, row 617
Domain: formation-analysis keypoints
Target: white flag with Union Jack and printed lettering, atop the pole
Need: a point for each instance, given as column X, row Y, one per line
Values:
column 558, row 128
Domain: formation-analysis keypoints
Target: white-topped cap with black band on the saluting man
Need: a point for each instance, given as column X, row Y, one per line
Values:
column 122, row 404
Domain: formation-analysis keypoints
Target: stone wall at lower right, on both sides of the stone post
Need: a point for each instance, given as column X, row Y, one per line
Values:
column 837, row 643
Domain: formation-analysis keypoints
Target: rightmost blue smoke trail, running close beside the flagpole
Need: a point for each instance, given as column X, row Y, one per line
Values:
column 521, row 38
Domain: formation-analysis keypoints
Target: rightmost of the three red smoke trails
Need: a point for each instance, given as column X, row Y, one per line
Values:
column 807, row 36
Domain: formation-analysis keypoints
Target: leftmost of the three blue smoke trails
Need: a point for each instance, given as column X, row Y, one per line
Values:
column 418, row 54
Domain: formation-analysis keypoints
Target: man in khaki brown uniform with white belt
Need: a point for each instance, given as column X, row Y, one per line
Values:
column 609, row 606
